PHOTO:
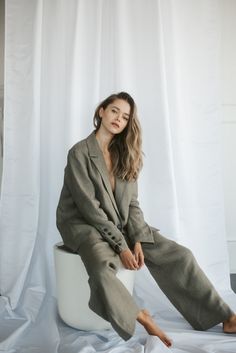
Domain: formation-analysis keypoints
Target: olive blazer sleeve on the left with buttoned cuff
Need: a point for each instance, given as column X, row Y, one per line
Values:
column 83, row 193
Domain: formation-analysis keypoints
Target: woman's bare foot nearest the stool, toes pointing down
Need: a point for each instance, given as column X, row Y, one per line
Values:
column 145, row 319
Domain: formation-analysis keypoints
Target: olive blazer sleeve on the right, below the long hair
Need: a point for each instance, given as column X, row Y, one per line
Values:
column 138, row 230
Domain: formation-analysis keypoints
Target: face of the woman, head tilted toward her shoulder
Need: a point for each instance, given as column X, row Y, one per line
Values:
column 115, row 116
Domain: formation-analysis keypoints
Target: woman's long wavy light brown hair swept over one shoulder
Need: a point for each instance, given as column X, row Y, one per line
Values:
column 125, row 148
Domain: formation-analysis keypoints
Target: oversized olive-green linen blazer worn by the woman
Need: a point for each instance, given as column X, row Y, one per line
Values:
column 87, row 203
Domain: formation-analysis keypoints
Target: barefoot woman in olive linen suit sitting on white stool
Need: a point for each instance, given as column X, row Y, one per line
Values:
column 99, row 217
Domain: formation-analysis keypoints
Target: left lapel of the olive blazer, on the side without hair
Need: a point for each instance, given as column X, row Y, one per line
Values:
column 96, row 156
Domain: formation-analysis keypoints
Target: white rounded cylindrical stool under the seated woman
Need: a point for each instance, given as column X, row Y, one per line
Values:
column 73, row 290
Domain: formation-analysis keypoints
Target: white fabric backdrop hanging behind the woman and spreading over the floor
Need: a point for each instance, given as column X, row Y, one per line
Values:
column 62, row 58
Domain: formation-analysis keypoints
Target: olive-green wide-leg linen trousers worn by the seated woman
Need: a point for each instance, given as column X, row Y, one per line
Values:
column 173, row 267
